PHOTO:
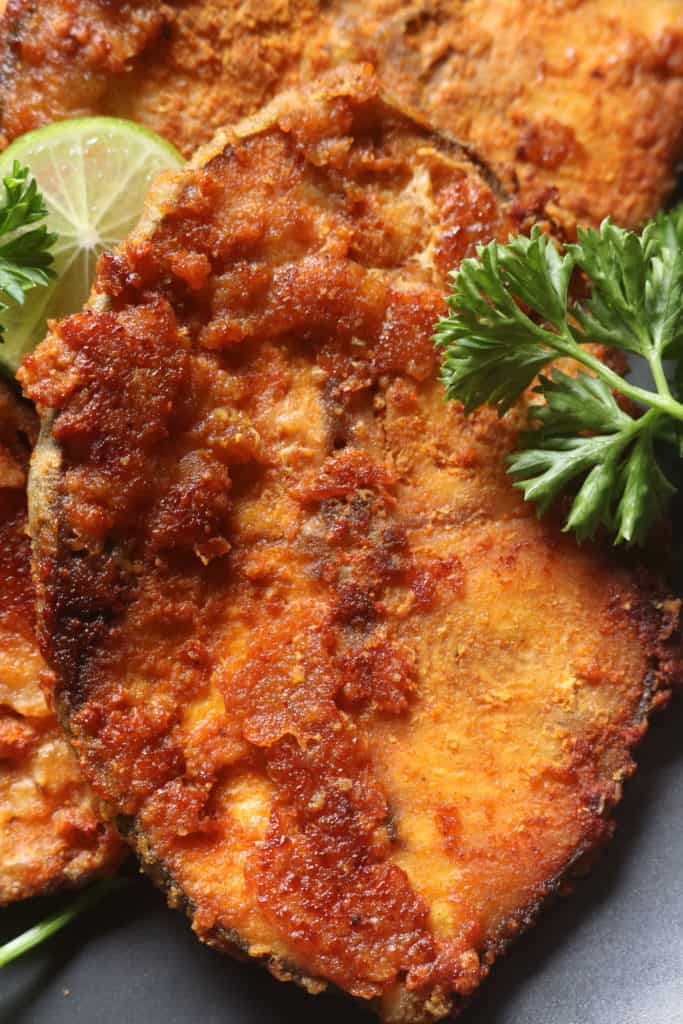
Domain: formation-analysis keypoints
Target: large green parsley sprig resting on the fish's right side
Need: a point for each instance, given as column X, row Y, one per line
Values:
column 513, row 314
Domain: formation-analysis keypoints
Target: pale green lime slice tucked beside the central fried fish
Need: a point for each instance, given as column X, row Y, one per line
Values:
column 95, row 175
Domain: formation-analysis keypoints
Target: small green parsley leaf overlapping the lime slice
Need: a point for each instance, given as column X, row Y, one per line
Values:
column 25, row 251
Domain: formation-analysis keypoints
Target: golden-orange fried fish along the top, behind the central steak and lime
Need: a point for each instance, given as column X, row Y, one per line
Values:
column 581, row 101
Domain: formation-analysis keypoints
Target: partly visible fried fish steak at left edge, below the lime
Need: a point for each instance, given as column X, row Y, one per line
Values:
column 51, row 829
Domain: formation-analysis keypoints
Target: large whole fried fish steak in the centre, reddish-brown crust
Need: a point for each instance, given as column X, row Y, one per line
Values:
column 355, row 706
